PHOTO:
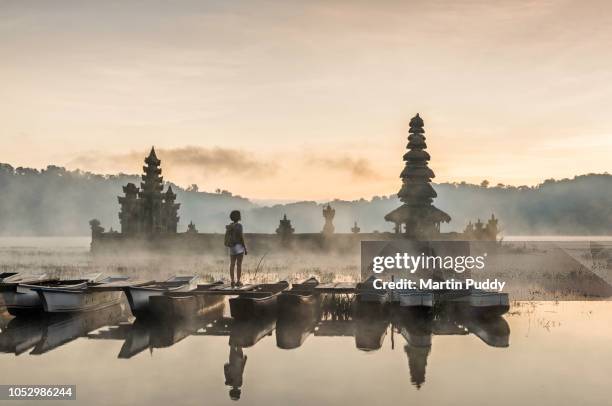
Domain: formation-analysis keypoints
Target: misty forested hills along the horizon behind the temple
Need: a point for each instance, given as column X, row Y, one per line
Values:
column 55, row 201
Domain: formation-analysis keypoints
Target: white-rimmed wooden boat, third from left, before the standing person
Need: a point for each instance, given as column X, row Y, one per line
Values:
column 139, row 296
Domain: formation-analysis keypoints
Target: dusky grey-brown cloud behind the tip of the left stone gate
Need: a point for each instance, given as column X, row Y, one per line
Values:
column 215, row 160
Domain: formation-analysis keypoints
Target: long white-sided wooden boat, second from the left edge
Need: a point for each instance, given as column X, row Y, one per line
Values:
column 83, row 297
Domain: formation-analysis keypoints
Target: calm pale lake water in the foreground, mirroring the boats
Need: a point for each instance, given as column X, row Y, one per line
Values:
column 544, row 353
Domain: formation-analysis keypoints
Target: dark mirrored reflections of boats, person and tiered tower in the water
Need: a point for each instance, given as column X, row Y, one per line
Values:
column 331, row 317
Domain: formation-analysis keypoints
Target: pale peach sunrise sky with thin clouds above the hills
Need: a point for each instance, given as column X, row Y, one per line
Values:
column 307, row 99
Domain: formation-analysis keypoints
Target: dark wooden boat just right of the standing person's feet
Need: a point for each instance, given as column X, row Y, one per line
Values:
column 261, row 301
